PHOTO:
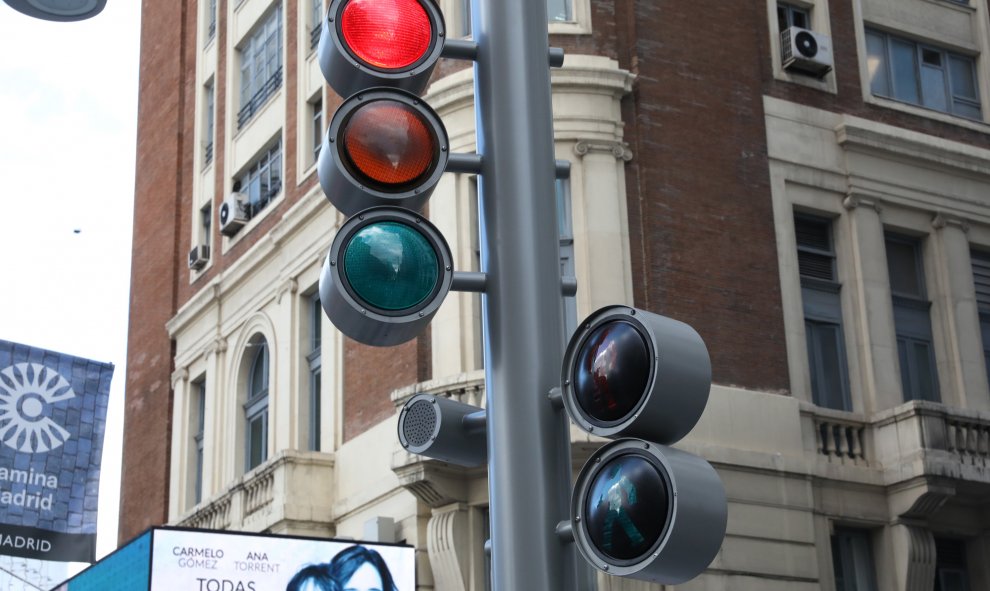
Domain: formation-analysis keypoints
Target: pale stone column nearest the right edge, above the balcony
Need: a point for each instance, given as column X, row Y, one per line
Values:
column 956, row 318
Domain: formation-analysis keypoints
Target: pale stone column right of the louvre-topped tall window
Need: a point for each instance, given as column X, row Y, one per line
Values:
column 873, row 310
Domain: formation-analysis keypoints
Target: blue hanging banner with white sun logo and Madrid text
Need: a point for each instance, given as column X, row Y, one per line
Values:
column 53, row 410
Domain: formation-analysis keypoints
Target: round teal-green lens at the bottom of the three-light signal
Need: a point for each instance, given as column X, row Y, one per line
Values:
column 391, row 266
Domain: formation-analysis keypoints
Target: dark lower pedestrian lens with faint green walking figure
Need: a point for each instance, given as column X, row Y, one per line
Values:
column 626, row 508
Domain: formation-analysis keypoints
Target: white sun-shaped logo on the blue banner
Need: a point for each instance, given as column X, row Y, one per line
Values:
column 26, row 389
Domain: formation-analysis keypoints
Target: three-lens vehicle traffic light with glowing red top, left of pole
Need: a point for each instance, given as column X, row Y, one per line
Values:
column 388, row 269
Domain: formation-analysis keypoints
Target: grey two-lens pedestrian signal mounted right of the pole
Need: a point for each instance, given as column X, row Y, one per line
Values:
column 640, row 508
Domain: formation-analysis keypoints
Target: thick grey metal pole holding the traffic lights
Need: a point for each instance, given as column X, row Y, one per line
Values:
column 529, row 448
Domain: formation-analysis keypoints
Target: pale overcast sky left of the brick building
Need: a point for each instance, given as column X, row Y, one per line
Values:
column 68, row 114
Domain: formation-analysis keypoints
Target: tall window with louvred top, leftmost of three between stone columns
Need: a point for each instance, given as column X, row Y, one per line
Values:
column 822, row 313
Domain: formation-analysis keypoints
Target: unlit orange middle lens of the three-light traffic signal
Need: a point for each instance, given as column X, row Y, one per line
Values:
column 389, row 143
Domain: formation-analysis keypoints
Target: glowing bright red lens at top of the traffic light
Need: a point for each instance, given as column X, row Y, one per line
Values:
column 387, row 34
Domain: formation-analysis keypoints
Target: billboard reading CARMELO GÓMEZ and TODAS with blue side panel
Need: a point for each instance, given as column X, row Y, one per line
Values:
column 166, row 559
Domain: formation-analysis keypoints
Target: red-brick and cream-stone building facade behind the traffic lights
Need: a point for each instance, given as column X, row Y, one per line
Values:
column 826, row 235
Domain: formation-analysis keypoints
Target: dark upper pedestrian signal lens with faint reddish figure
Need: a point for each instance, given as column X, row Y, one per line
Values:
column 612, row 372
